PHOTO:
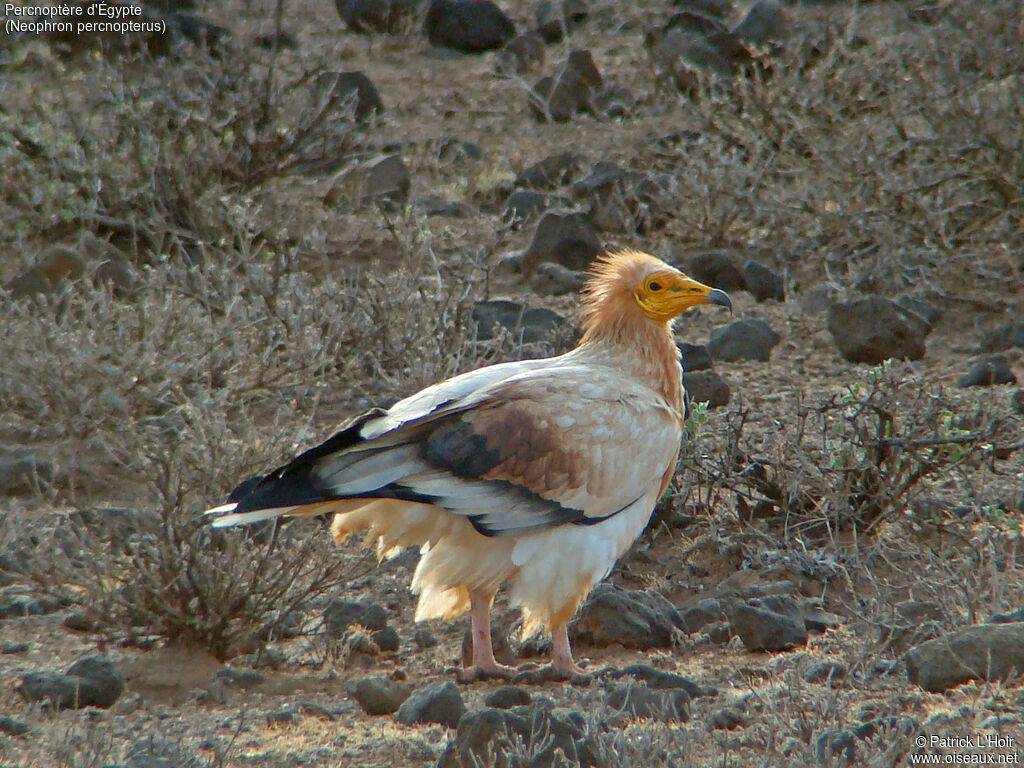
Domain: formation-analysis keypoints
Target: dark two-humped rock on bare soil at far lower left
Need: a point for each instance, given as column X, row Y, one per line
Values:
column 90, row 682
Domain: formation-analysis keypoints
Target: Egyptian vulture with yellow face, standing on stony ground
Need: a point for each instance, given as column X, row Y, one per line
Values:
column 537, row 475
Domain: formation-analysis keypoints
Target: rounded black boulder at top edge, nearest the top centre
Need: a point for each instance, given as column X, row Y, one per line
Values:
column 468, row 26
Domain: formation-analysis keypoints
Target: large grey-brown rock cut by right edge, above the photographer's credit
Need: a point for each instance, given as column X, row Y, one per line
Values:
column 986, row 652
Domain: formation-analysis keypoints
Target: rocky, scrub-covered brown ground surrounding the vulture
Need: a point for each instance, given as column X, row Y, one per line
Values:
column 222, row 240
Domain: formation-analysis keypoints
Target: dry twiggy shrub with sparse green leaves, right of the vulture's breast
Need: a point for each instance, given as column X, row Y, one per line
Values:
column 859, row 459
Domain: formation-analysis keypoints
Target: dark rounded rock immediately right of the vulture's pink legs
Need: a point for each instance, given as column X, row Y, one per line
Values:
column 633, row 619
